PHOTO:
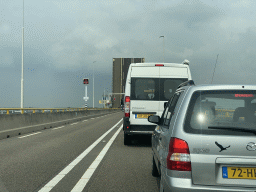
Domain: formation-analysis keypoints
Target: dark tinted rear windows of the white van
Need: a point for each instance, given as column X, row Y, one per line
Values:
column 155, row 89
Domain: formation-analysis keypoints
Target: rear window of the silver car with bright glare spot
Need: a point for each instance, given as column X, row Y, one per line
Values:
column 217, row 112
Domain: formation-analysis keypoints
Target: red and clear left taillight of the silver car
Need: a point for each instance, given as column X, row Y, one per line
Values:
column 178, row 157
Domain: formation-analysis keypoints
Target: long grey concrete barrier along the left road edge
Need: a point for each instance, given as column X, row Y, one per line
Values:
column 18, row 124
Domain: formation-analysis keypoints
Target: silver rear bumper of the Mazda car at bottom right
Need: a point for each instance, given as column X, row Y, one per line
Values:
column 173, row 184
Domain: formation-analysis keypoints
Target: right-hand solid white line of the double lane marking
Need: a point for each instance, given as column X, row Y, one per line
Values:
column 89, row 172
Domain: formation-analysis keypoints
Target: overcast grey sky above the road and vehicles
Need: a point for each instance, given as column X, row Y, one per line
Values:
column 64, row 37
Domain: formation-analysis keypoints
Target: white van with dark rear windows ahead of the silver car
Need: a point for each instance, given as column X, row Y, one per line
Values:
column 148, row 86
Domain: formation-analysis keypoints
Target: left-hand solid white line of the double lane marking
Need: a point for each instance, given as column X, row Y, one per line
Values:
column 66, row 170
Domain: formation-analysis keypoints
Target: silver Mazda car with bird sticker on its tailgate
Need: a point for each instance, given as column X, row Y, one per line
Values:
column 205, row 139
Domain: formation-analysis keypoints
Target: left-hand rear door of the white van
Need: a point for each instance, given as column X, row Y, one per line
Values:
column 144, row 94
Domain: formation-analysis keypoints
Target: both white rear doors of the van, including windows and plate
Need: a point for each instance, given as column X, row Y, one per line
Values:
column 150, row 88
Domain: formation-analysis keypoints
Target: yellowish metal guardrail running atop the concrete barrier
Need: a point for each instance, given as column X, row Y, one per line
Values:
column 43, row 110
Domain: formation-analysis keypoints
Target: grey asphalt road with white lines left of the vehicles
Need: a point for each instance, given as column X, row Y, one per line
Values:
column 85, row 156
